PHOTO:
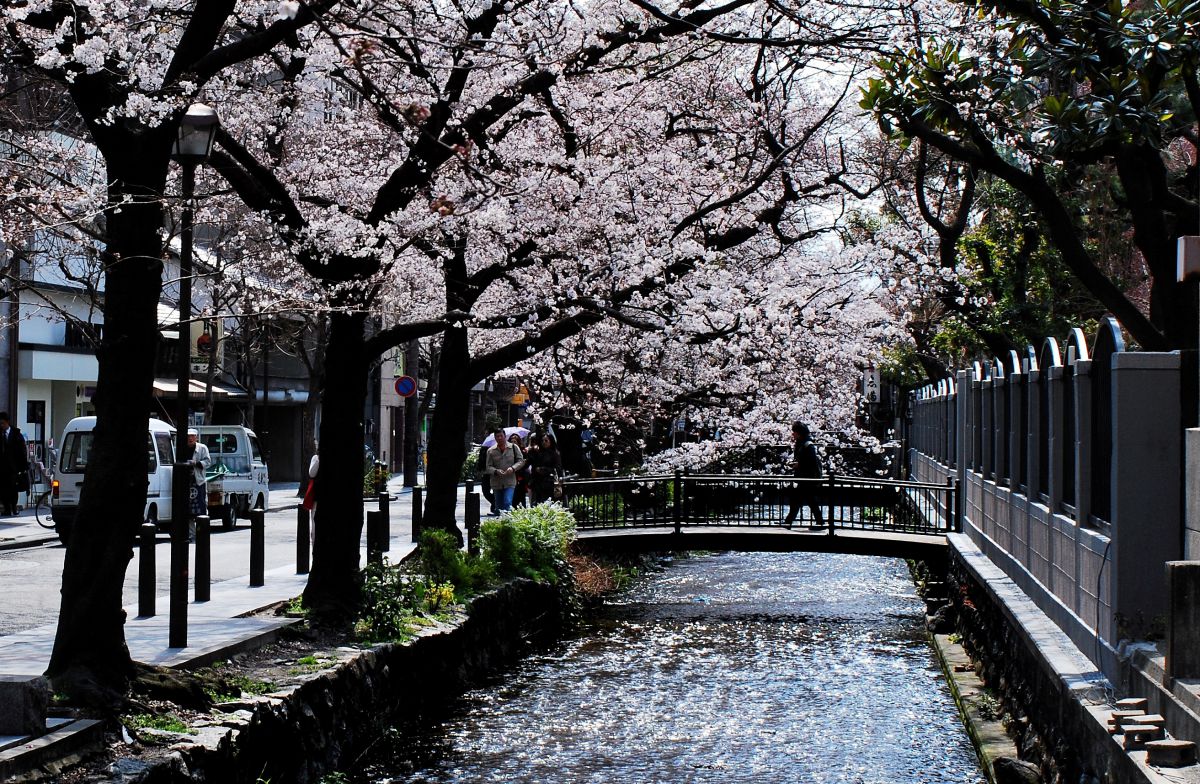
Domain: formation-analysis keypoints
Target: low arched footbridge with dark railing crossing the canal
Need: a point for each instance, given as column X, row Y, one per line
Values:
column 748, row 512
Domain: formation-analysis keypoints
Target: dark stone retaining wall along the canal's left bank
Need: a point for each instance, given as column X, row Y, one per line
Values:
column 326, row 723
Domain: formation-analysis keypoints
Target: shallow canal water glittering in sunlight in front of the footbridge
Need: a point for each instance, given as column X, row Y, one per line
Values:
column 729, row 668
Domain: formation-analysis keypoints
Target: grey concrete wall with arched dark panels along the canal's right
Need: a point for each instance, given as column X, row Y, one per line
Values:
column 1083, row 506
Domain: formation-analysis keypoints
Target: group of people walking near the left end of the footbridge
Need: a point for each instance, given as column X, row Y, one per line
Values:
column 517, row 474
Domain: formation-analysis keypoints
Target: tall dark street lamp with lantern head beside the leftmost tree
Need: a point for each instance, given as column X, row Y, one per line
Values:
column 193, row 146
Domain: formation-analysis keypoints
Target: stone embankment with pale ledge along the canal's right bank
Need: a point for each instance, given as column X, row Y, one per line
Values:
column 1065, row 723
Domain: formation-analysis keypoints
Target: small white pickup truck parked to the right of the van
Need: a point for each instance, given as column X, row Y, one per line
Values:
column 238, row 476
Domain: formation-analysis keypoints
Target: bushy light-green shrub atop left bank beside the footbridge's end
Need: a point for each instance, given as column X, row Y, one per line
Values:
column 531, row 542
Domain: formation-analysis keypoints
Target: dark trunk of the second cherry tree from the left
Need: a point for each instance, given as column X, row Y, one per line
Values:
column 333, row 590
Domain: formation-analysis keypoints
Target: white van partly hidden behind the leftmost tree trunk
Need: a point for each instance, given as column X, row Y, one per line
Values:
column 75, row 452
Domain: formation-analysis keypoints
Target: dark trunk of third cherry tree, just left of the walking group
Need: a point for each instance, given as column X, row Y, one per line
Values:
column 448, row 432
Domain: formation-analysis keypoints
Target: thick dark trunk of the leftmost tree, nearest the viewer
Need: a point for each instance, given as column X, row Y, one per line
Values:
column 91, row 660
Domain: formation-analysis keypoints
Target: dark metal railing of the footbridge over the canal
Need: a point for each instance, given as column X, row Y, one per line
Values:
column 685, row 500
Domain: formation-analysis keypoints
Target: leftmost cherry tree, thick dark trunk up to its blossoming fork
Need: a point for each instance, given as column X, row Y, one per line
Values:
column 130, row 71
